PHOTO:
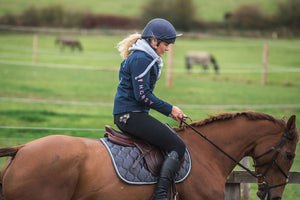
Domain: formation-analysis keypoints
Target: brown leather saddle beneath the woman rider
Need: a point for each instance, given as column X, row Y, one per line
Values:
column 152, row 155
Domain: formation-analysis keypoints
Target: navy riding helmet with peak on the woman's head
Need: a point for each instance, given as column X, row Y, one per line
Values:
column 160, row 29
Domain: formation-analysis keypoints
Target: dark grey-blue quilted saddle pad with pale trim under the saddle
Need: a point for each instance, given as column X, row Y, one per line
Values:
column 123, row 159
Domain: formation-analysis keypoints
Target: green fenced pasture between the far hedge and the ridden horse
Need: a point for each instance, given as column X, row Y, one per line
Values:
column 70, row 92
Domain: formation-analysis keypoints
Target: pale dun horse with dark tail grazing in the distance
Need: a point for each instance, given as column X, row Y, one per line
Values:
column 201, row 58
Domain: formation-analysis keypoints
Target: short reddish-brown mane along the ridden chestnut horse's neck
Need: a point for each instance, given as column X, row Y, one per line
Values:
column 250, row 115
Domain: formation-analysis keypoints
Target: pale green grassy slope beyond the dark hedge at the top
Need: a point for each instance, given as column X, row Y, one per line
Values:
column 205, row 9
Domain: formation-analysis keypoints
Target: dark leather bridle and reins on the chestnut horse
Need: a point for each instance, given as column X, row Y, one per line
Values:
column 264, row 186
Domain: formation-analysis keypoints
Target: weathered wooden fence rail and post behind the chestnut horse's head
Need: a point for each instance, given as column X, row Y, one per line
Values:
column 234, row 180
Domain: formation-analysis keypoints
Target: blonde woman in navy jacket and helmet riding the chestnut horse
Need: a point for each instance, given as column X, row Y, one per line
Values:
column 138, row 74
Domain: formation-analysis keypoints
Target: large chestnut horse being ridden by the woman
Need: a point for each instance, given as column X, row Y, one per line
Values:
column 70, row 168
